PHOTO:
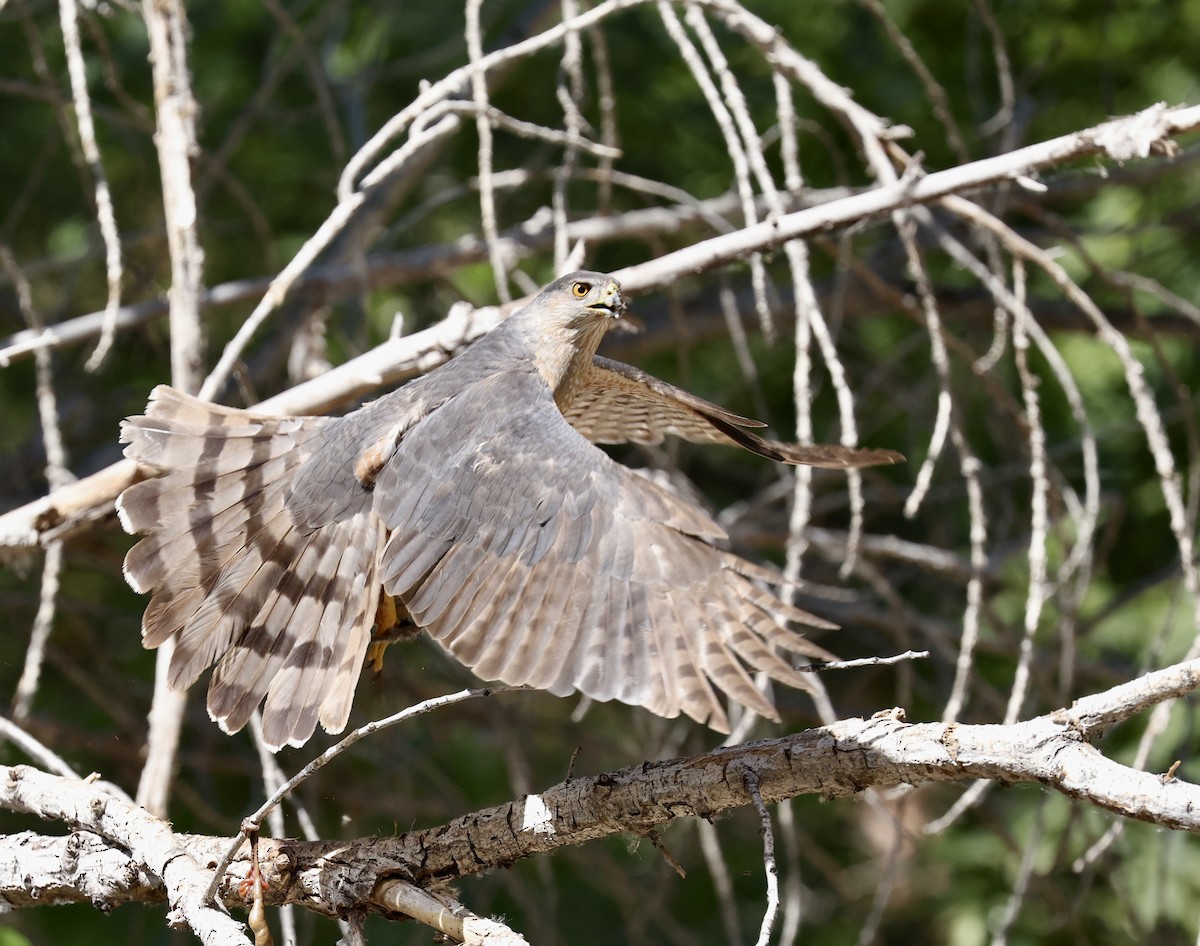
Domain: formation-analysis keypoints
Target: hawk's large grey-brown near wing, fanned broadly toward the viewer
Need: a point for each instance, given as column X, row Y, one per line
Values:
column 537, row 560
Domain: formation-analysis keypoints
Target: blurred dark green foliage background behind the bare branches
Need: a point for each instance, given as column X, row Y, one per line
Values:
column 267, row 176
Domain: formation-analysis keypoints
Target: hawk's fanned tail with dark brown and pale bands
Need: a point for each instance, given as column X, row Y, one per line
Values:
column 283, row 608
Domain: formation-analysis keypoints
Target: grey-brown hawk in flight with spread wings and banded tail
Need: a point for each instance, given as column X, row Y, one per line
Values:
column 473, row 496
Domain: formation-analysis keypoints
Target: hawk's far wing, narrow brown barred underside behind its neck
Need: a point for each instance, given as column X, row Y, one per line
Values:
column 621, row 404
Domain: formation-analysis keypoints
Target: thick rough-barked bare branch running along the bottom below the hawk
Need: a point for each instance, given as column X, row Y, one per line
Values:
column 832, row 762
